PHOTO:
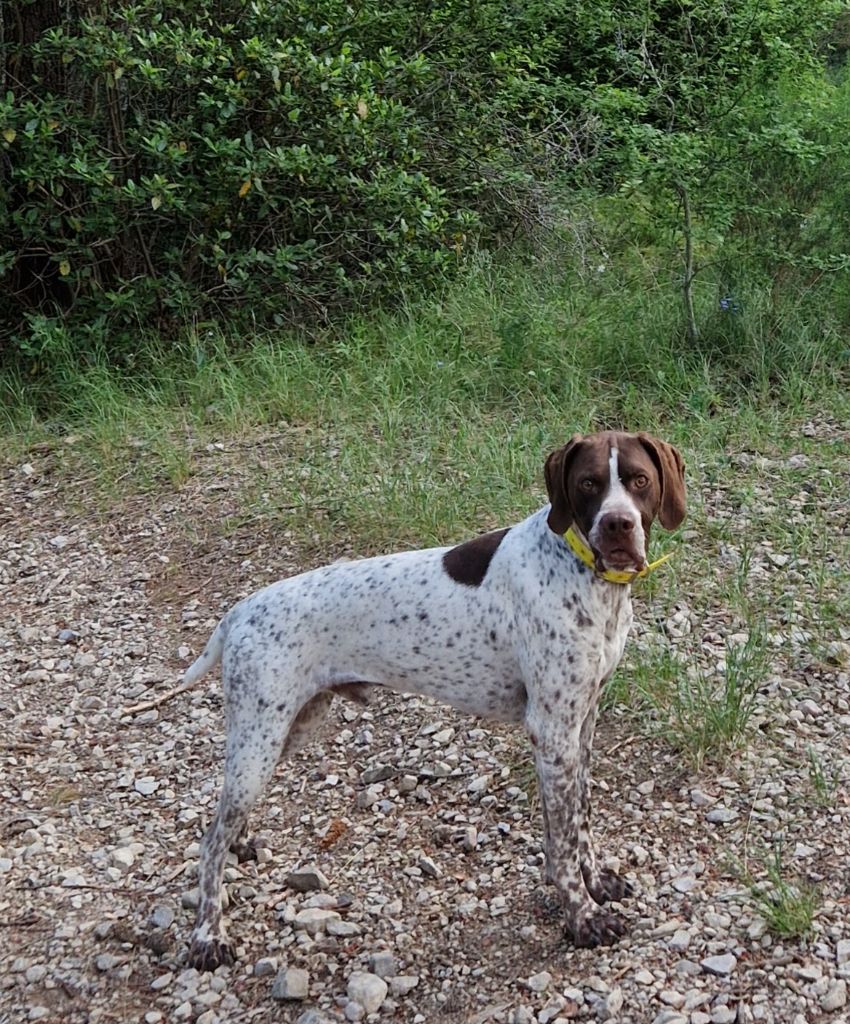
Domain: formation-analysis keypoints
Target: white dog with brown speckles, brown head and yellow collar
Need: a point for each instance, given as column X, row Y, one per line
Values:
column 523, row 625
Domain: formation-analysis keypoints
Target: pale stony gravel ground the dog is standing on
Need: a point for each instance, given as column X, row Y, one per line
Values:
column 414, row 832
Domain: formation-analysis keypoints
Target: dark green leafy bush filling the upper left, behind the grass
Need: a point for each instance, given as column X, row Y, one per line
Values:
column 164, row 160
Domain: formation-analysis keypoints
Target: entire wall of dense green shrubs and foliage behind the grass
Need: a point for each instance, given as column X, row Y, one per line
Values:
column 165, row 160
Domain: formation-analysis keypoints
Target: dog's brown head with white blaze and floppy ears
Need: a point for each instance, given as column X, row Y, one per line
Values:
column 611, row 487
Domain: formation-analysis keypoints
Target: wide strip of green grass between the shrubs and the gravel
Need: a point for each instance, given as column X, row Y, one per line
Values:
column 421, row 425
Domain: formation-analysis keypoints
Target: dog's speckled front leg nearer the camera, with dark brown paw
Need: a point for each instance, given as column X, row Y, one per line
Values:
column 557, row 744
